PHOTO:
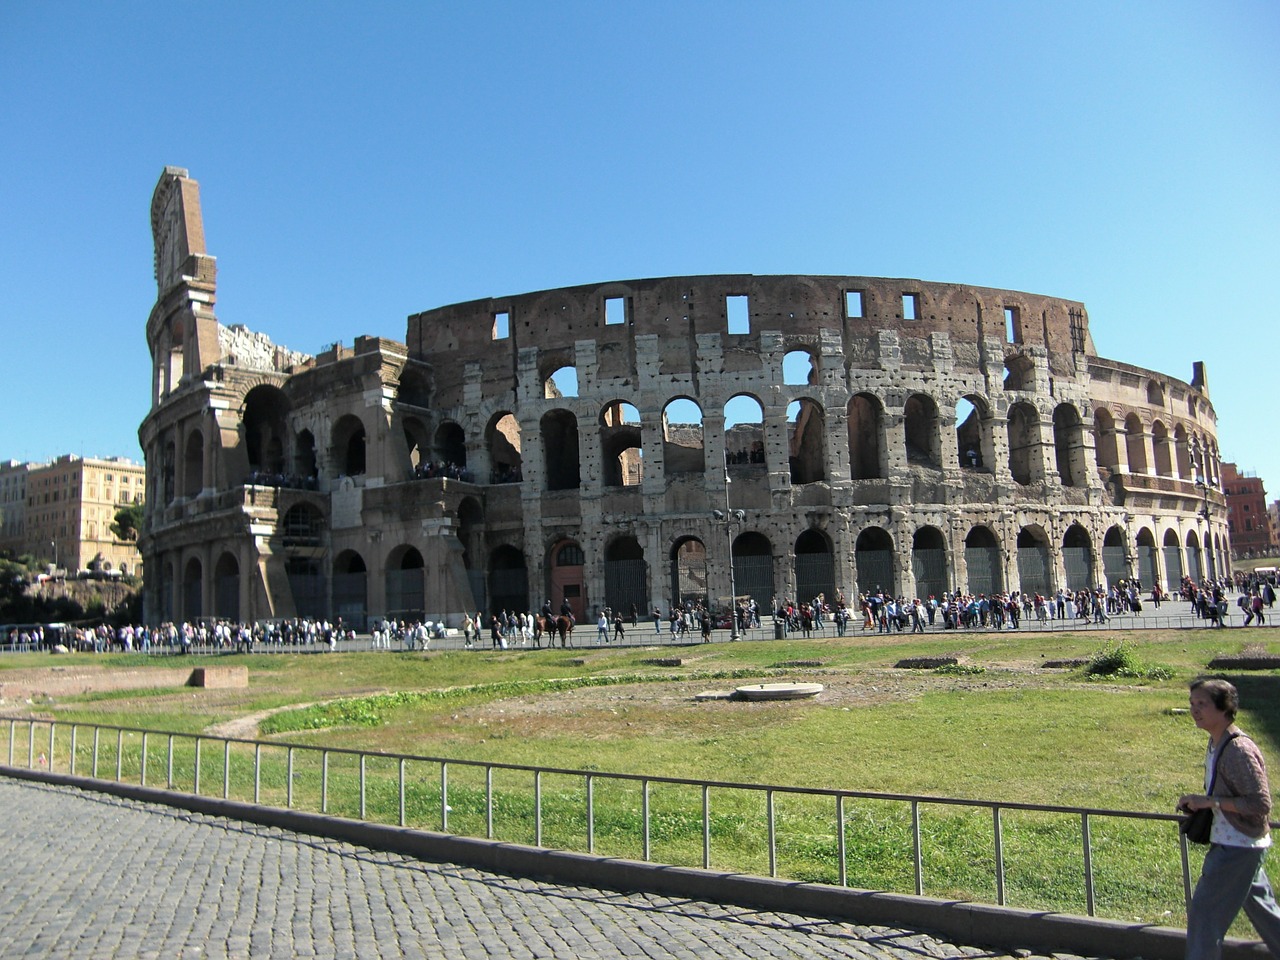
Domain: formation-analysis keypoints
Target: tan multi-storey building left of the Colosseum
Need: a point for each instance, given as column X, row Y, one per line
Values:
column 67, row 511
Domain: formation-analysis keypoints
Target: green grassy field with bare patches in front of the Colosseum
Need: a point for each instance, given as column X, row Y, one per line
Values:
column 1002, row 729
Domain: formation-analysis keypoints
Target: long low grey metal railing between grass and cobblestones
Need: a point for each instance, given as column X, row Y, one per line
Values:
column 737, row 834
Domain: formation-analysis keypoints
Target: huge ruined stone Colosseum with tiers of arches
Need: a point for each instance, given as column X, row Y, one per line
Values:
column 646, row 442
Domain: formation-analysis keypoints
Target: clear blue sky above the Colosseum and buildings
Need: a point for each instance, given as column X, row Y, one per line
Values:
column 364, row 162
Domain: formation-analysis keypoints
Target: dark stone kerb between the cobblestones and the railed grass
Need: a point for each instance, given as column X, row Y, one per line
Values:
column 963, row 922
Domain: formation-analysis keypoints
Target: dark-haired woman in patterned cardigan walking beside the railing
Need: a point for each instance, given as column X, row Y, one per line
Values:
column 1237, row 790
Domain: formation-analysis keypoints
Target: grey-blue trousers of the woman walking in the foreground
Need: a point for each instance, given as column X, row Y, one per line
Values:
column 1233, row 877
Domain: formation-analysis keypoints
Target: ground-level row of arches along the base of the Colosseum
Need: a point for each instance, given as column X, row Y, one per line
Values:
column 624, row 577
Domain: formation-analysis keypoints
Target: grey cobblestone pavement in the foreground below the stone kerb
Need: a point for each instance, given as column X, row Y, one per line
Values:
column 94, row 876
